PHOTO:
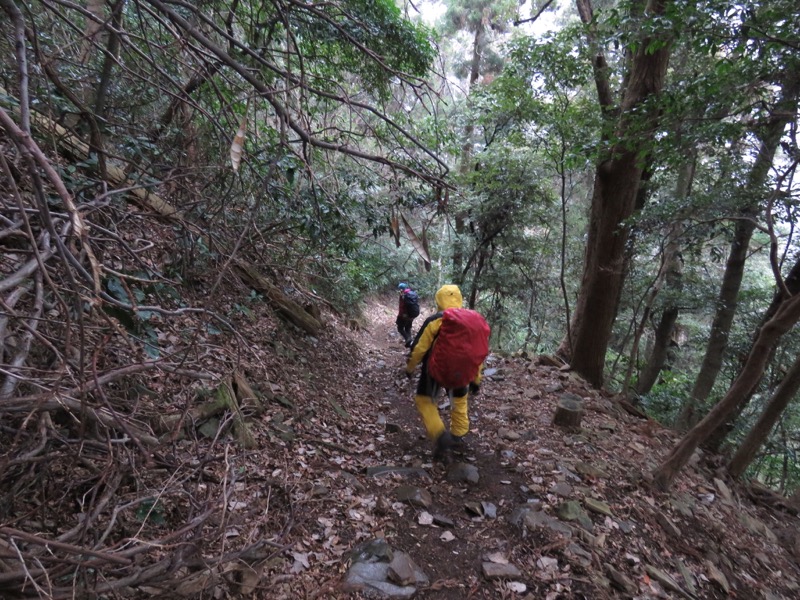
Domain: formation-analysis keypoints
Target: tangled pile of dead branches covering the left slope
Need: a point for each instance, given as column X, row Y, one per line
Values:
column 91, row 502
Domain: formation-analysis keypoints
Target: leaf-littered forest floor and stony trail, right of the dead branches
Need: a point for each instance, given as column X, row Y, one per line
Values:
column 549, row 513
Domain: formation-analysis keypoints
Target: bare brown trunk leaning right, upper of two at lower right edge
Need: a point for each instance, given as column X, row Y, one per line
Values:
column 747, row 380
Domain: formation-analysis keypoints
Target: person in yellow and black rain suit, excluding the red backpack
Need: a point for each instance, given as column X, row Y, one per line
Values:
column 449, row 296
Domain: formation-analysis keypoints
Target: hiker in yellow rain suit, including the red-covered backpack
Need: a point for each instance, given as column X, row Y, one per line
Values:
column 454, row 362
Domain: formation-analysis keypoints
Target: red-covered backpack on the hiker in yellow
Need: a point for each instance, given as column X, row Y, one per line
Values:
column 460, row 348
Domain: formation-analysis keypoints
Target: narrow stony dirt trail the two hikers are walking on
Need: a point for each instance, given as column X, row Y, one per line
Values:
column 453, row 563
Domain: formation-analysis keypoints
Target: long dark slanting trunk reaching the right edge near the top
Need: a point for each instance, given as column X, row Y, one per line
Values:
column 782, row 114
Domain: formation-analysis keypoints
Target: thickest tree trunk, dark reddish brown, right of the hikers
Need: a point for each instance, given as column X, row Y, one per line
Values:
column 617, row 182
